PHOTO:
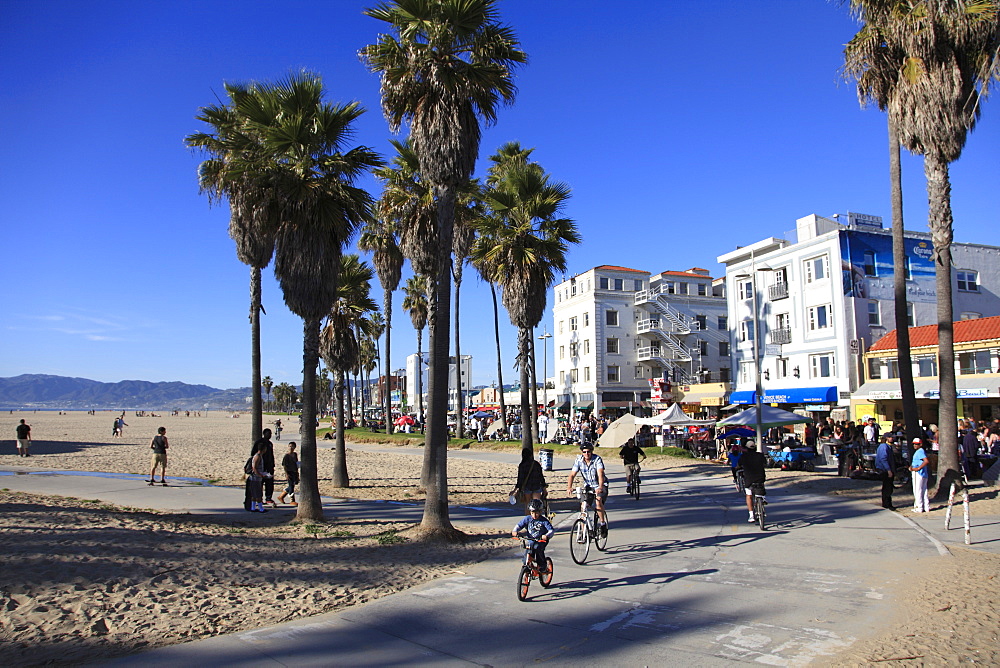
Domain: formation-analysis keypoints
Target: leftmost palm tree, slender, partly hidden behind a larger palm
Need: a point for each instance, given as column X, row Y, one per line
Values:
column 253, row 219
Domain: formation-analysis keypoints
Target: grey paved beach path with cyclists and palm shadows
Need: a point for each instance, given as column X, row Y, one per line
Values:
column 685, row 579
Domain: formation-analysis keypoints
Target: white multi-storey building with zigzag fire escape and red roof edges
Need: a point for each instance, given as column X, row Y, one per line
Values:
column 617, row 329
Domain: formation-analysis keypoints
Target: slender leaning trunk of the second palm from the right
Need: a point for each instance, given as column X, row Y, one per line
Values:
column 912, row 429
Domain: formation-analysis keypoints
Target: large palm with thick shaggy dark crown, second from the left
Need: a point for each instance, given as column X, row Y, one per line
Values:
column 298, row 151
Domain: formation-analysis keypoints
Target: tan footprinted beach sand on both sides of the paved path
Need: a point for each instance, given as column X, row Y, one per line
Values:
column 95, row 581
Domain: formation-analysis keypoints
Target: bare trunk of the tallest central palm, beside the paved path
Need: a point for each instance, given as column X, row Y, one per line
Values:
column 436, row 520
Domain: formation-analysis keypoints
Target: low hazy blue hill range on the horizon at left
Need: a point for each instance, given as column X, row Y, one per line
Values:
column 44, row 391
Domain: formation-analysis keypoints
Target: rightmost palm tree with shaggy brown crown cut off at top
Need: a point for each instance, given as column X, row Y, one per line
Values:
column 945, row 54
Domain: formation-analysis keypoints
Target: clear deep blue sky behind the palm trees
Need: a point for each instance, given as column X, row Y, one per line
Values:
column 685, row 129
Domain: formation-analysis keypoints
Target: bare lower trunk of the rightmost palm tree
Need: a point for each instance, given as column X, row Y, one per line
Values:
column 940, row 219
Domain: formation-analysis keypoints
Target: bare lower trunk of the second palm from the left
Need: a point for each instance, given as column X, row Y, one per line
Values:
column 310, row 507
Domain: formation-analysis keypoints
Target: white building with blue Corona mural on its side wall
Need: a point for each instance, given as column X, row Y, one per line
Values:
column 823, row 299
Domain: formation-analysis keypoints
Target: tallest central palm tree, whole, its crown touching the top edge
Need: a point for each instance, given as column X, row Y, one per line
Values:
column 448, row 65
